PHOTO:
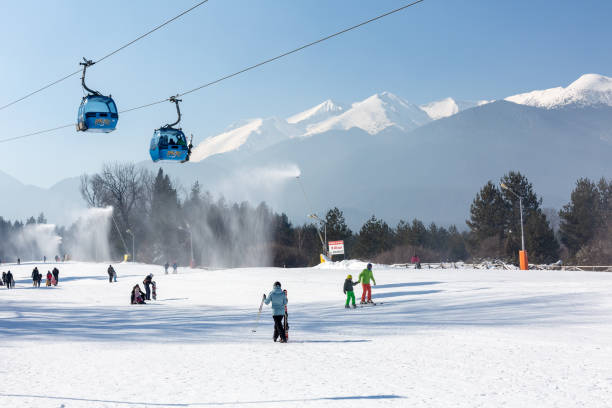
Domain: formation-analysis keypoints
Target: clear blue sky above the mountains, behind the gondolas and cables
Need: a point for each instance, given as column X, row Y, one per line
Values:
column 479, row 49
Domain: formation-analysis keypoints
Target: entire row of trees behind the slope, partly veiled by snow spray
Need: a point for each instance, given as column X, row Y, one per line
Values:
column 150, row 216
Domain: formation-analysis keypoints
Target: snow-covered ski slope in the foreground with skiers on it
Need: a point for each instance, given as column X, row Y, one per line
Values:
column 442, row 338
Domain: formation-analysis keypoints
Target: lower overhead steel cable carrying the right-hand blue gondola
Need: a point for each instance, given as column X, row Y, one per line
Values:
column 216, row 81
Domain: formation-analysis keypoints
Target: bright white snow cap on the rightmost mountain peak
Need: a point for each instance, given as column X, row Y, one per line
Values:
column 589, row 89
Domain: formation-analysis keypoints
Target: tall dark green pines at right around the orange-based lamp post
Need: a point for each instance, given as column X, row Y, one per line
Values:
column 584, row 234
